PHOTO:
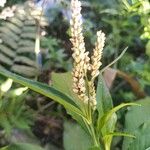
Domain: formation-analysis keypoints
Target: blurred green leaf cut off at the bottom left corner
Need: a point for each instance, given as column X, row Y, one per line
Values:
column 22, row 146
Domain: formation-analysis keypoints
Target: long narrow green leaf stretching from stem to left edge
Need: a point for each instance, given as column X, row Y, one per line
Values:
column 45, row 90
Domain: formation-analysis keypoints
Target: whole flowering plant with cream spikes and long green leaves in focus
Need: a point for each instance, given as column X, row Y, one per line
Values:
column 91, row 107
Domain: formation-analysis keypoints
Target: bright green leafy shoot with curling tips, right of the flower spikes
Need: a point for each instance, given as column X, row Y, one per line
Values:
column 107, row 114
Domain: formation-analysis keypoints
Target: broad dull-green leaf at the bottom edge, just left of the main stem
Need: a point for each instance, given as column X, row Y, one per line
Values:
column 75, row 138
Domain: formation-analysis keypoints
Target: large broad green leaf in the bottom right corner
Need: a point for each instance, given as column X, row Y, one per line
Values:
column 137, row 122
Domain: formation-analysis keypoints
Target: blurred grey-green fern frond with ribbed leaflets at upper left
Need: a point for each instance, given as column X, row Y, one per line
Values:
column 17, row 36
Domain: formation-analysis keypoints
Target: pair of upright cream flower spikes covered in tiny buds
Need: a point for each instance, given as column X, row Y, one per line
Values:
column 82, row 62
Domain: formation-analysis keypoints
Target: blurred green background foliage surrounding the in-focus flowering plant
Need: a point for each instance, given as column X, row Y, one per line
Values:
column 126, row 23
